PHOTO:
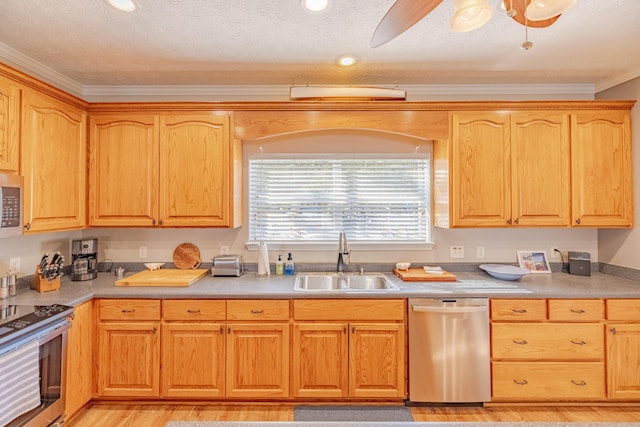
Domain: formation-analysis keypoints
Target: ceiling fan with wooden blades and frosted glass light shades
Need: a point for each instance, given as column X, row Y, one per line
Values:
column 469, row 15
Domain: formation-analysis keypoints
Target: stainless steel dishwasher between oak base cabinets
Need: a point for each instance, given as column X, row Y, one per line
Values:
column 449, row 360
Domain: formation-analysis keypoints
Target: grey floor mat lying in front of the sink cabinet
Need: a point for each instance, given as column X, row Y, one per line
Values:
column 352, row 413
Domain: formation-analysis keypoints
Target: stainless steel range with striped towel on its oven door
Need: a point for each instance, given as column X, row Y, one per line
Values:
column 33, row 354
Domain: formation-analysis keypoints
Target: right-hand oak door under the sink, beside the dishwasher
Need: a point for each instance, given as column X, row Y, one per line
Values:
column 376, row 360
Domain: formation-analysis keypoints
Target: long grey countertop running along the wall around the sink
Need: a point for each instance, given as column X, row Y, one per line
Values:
column 249, row 285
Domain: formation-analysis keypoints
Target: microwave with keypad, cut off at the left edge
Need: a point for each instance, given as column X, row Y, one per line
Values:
column 11, row 204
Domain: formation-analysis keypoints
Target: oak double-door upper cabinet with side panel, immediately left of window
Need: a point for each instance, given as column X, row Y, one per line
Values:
column 180, row 170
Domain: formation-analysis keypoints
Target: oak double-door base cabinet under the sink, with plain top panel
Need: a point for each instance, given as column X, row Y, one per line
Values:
column 338, row 356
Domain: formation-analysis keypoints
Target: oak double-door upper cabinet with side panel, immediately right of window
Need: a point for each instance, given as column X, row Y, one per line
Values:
column 503, row 170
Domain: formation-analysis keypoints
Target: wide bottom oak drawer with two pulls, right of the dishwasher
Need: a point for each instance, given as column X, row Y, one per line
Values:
column 544, row 381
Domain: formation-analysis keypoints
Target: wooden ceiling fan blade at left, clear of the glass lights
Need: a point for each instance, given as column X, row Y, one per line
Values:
column 403, row 15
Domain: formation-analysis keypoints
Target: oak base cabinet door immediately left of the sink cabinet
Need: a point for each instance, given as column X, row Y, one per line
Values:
column 257, row 360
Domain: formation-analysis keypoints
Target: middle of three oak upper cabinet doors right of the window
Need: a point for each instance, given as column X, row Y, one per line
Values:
column 540, row 169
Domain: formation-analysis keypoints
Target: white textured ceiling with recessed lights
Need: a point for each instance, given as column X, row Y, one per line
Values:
column 86, row 45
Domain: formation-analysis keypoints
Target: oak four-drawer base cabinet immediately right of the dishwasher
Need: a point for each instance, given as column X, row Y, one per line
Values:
column 547, row 350
